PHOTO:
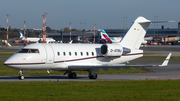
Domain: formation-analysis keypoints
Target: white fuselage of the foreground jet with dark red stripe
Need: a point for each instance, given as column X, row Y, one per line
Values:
column 59, row 56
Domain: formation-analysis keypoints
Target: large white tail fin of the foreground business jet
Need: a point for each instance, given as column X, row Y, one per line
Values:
column 135, row 35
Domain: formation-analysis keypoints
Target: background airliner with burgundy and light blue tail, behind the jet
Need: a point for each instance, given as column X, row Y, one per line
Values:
column 106, row 38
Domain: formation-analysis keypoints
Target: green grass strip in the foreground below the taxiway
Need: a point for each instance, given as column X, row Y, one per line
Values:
column 148, row 90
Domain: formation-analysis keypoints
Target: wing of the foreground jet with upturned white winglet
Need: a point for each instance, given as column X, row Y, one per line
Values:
column 115, row 66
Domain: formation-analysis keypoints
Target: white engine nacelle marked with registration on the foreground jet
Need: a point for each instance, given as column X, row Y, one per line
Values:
column 111, row 50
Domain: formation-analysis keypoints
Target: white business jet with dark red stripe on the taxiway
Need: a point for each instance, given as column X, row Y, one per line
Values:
column 83, row 57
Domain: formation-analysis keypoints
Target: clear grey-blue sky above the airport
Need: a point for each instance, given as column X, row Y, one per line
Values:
column 111, row 14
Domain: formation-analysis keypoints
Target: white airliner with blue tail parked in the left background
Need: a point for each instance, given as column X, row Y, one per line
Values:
column 34, row 40
